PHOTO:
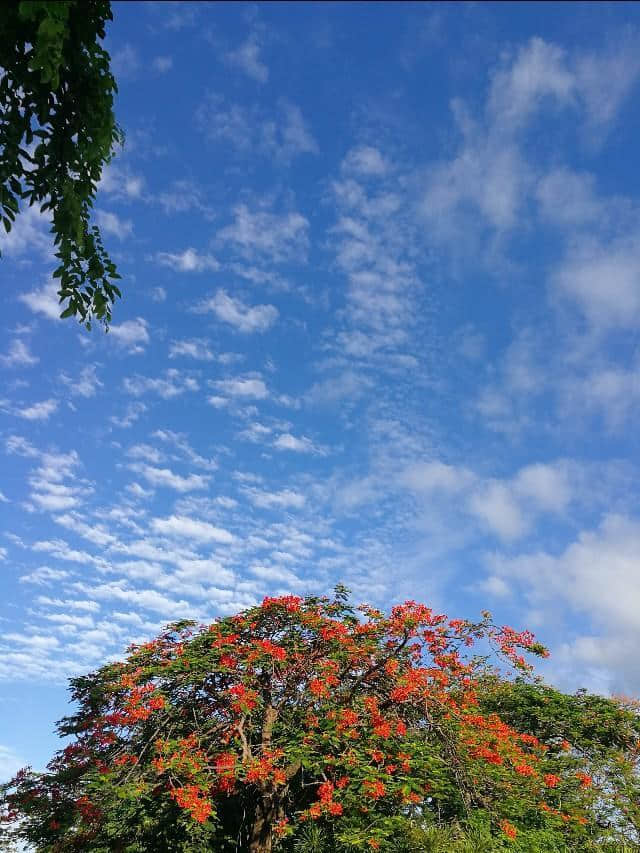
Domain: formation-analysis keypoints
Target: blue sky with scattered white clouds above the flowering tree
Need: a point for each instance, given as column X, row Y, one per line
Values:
column 381, row 276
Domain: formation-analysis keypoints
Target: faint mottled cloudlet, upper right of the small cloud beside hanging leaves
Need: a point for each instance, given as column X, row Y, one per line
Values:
column 277, row 237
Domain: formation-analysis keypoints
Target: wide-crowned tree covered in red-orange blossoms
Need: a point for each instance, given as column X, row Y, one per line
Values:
column 298, row 712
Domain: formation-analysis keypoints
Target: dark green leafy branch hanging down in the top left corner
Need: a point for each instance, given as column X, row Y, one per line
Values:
column 57, row 131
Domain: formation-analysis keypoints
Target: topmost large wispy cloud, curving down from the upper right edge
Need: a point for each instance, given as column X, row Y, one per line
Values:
column 489, row 180
